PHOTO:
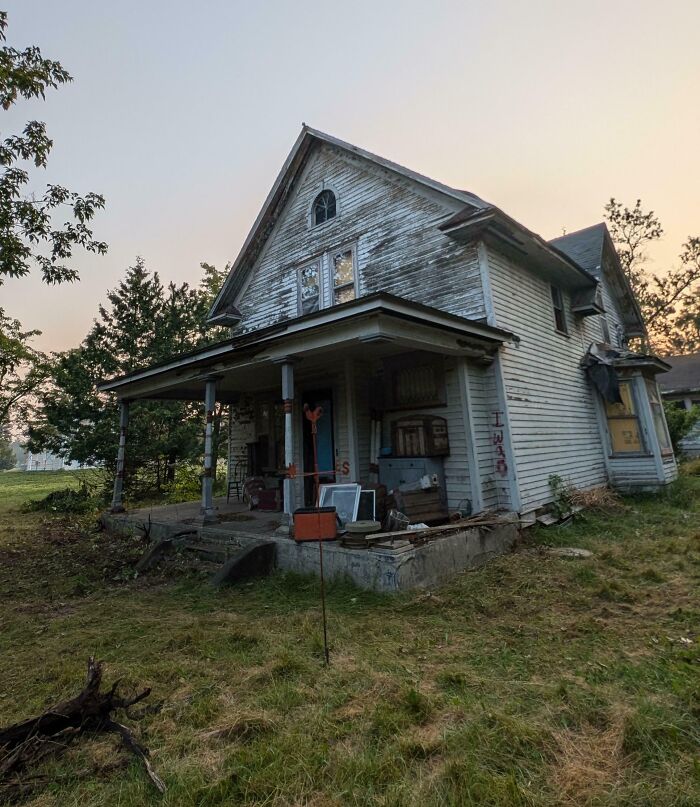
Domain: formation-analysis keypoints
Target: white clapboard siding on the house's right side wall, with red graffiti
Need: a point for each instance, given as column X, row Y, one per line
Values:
column 550, row 403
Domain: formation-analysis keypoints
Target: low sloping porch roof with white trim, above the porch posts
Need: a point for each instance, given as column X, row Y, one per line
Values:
column 376, row 325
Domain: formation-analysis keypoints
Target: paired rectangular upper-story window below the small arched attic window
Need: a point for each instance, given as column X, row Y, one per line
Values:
column 328, row 280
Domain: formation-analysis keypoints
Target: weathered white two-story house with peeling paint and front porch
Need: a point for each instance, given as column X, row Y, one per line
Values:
column 439, row 335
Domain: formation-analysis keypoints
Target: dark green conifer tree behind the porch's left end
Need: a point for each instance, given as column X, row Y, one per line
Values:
column 143, row 323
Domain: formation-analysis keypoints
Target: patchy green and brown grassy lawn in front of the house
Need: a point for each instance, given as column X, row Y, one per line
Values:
column 537, row 680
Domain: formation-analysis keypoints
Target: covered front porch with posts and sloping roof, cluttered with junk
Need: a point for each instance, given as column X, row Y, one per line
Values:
column 407, row 392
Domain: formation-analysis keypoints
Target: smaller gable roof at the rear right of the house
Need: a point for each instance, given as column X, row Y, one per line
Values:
column 589, row 247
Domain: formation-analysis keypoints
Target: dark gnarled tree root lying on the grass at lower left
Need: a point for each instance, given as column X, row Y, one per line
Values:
column 30, row 741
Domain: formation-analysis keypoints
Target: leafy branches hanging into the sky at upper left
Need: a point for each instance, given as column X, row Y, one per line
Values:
column 28, row 234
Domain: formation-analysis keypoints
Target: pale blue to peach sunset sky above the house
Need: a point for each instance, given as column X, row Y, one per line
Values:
column 182, row 113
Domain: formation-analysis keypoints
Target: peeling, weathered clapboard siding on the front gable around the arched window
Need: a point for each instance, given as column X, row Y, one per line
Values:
column 391, row 222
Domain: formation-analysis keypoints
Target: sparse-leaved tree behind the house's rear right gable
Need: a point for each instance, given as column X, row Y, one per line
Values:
column 670, row 302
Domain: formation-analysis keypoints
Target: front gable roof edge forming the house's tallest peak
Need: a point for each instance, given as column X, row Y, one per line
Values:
column 282, row 189
